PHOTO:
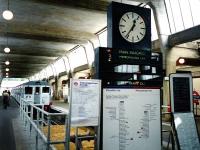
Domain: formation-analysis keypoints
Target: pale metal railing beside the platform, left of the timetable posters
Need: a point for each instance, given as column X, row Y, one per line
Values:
column 28, row 112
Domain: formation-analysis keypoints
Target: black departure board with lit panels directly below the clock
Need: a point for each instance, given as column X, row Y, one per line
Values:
column 118, row 67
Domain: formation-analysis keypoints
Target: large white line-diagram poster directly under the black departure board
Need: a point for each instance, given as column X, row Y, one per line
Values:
column 131, row 119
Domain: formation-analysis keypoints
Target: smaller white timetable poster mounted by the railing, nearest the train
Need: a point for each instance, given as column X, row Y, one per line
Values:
column 85, row 102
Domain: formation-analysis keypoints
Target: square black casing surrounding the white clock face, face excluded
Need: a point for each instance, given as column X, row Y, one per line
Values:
column 114, row 14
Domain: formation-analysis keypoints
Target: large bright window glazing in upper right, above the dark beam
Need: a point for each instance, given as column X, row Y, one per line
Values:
column 183, row 14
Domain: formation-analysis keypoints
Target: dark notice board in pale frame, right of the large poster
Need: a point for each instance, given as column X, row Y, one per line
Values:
column 181, row 92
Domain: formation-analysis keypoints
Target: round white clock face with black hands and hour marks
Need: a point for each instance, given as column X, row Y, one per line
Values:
column 132, row 27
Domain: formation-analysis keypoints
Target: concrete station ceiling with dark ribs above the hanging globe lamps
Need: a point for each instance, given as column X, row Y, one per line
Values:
column 43, row 30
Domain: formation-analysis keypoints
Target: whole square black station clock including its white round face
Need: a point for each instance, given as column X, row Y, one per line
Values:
column 129, row 27
